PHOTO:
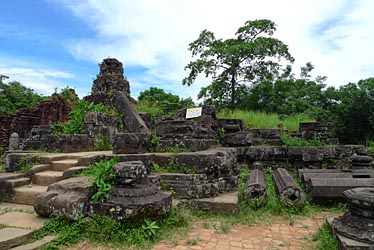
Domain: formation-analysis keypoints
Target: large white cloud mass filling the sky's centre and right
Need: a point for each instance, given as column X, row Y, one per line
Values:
column 334, row 35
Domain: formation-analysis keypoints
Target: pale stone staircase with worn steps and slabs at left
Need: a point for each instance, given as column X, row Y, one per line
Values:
column 17, row 213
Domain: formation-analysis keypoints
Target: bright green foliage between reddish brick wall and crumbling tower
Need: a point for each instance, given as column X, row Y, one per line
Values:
column 76, row 117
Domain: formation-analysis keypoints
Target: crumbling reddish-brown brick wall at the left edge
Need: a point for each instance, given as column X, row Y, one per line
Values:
column 54, row 109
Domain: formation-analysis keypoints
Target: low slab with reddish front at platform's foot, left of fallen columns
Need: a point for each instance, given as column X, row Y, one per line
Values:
column 222, row 204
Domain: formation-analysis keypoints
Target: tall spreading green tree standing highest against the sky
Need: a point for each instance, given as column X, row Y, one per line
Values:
column 252, row 56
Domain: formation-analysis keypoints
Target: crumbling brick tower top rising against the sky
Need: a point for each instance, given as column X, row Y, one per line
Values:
column 109, row 81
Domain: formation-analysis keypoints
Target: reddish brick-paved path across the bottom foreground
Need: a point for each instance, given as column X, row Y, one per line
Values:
column 277, row 233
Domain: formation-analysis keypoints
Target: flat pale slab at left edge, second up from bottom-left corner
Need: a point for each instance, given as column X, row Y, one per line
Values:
column 22, row 220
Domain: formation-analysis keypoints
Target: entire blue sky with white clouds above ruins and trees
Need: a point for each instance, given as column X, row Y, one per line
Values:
column 48, row 44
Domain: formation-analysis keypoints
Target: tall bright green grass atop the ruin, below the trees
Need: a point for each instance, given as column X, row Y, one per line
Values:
column 256, row 119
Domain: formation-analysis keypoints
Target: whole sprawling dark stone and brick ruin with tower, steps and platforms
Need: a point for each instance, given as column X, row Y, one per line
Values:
column 206, row 170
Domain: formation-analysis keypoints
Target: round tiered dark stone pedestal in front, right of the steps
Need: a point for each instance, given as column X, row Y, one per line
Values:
column 133, row 198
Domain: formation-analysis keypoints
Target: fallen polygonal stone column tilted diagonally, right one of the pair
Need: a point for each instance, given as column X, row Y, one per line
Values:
column 287, row 189
